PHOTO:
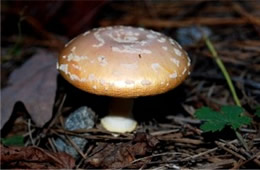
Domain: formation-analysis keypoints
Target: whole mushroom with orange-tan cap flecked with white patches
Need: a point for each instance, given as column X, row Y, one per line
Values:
column 123, row 62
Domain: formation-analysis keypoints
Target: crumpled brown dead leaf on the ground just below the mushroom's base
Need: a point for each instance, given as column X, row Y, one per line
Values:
column 122, row 154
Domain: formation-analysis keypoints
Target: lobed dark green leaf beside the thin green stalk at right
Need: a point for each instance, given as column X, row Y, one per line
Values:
column 227, row 116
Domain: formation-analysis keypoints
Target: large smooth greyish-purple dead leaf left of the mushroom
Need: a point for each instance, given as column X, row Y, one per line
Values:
column 34, row 83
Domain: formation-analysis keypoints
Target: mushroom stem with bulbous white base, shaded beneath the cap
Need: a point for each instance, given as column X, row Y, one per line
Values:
column 120, row 116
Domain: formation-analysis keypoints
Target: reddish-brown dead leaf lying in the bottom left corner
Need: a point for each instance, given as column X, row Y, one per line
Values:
column 34, row 158
